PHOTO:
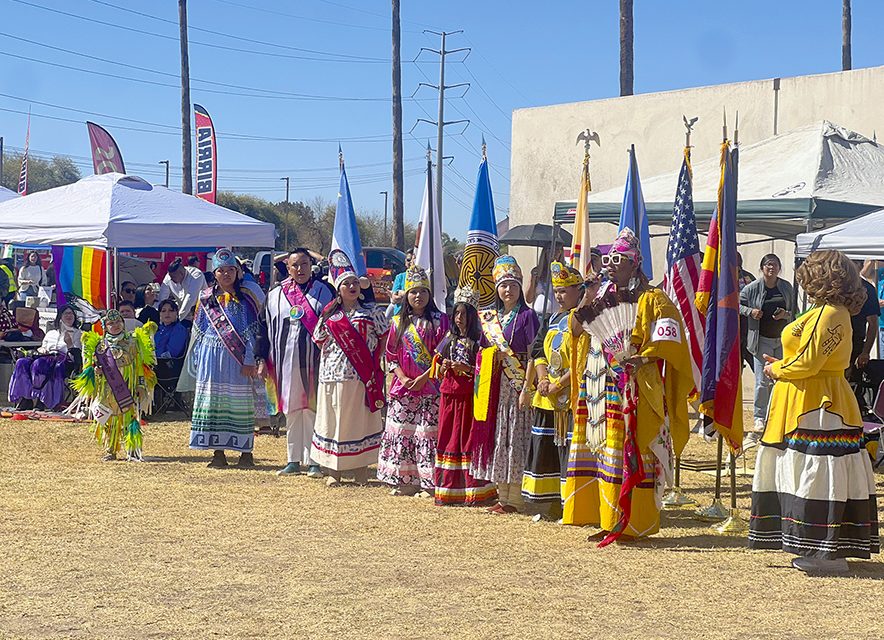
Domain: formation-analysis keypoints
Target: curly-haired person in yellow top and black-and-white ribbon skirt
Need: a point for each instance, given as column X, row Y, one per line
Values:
column 814, row 490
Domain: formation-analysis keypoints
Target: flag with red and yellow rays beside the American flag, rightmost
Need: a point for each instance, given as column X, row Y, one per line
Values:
column 719, row 299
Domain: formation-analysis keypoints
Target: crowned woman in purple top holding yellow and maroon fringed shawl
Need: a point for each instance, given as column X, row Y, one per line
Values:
column 499, row 444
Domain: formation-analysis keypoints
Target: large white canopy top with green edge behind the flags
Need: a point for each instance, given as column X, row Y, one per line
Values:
column 819, row 171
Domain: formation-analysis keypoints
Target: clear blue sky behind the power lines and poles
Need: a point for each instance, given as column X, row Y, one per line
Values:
column 524, row 54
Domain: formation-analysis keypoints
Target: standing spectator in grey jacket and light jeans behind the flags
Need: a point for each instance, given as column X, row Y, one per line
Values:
column 768, row 305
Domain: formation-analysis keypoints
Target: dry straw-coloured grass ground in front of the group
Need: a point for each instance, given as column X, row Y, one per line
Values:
column 171, row 549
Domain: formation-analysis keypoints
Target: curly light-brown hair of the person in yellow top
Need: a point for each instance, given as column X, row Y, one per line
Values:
column 830, row 277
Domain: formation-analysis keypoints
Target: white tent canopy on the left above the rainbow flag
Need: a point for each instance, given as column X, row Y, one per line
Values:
column 125, row 212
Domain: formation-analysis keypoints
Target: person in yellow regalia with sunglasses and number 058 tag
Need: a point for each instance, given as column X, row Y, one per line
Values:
column 646, row 421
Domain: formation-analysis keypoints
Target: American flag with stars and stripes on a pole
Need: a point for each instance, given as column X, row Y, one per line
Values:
column 683, row 267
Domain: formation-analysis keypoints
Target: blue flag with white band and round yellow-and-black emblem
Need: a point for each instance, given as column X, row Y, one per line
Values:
column 481, row 246
